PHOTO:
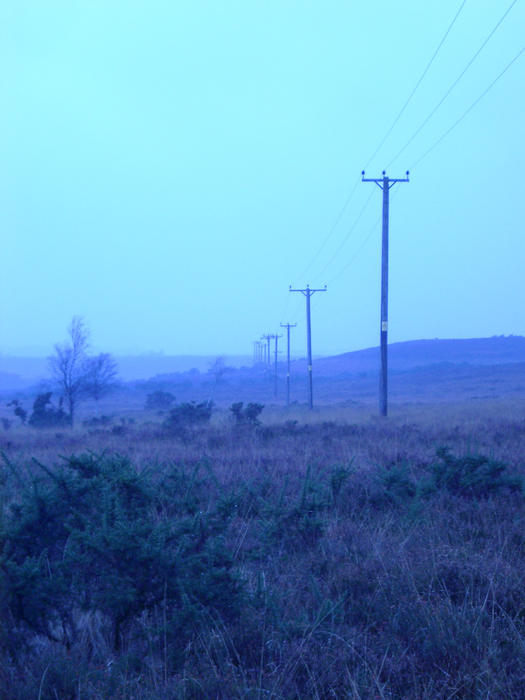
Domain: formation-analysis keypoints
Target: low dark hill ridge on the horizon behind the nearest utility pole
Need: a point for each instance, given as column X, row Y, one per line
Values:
column 406, row 355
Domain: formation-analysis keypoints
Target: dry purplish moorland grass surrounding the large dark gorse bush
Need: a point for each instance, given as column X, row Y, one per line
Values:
column 357, row 582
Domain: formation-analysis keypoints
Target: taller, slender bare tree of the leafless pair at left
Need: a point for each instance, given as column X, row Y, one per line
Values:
column 68, row 365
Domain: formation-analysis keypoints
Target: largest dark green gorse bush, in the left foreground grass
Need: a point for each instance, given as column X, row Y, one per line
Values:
column 89, row 537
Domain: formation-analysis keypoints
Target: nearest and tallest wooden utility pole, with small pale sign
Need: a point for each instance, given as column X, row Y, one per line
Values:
column 385, row 183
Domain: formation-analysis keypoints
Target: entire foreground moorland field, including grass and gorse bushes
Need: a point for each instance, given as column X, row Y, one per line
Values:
column 328, row 554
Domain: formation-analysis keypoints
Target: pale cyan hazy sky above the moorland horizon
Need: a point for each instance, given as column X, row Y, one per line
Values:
column 170, row 167
